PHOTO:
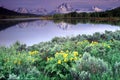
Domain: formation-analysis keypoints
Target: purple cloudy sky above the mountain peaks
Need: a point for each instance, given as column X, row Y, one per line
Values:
column 53, row 4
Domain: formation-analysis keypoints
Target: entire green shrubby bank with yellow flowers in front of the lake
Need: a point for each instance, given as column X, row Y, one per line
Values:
column 84, row 57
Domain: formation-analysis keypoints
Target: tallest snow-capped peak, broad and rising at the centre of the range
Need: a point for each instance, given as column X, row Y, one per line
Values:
column 63, row 8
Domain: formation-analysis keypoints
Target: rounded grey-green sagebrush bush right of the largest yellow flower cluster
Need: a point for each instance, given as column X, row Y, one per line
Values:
column 92, row 64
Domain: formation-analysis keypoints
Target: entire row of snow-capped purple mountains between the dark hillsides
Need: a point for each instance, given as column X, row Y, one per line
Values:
column 61, row 9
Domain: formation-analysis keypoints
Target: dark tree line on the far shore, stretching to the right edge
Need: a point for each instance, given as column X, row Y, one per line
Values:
column 109, row 13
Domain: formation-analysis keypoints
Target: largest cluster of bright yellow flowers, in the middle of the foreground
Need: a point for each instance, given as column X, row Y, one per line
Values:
column 64, row 57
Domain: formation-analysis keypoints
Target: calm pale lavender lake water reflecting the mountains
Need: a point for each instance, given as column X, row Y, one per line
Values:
column 34, row 32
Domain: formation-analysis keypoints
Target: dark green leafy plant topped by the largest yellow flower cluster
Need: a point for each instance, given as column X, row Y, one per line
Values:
column 59, row 66
